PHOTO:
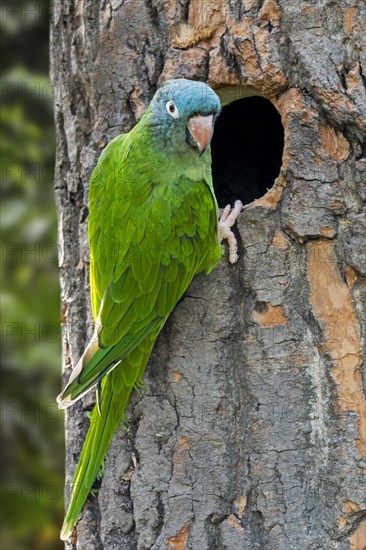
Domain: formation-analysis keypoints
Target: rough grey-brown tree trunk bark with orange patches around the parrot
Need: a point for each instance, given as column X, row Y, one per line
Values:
column 250, row 432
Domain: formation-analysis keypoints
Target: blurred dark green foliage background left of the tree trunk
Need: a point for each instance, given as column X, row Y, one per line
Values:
column 32, row 448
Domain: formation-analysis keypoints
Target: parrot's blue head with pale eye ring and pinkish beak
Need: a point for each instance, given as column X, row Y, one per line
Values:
column 182, row 115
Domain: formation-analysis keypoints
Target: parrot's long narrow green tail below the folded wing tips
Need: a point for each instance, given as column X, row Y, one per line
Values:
column 116, row 390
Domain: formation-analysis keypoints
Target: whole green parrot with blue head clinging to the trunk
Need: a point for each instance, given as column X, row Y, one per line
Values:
column 153, row 226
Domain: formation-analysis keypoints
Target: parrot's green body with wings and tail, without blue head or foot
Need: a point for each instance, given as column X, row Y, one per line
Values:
column 150, row 232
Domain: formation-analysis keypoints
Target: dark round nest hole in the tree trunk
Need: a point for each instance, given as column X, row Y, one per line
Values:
column 247, row 148
